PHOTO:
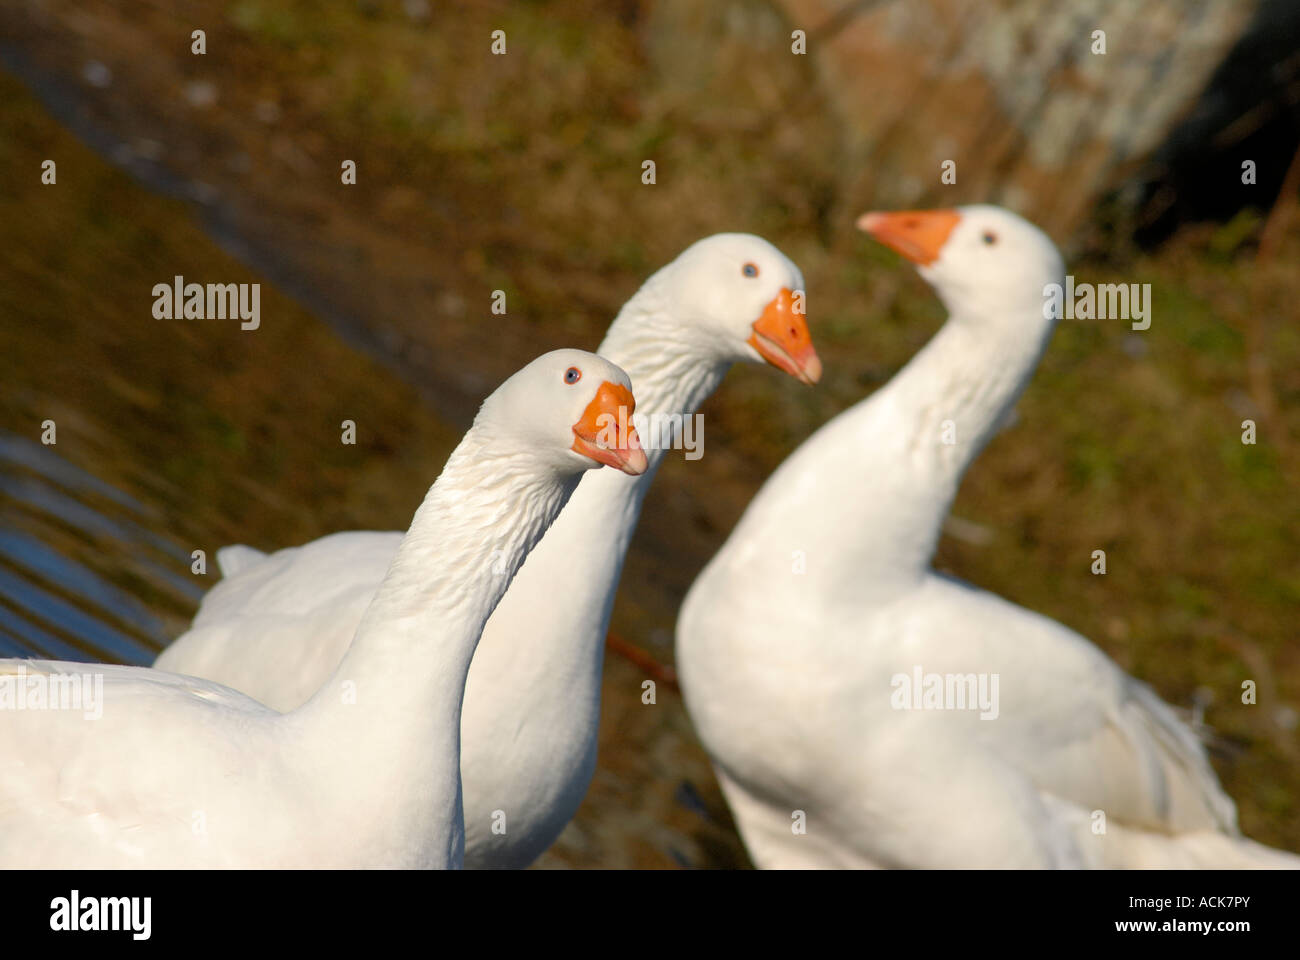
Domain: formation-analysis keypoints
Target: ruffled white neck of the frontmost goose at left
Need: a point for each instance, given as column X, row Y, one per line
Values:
column 411, row 652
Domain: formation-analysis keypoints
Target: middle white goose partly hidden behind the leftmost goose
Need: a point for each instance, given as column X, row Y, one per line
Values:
column 278, row 625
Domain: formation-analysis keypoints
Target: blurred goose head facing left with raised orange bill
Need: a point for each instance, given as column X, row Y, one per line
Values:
column 980, row 260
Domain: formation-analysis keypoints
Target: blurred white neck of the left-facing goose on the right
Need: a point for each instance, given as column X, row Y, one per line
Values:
column 866, row 496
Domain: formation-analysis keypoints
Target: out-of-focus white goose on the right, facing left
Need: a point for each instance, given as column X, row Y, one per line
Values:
column 795, row 642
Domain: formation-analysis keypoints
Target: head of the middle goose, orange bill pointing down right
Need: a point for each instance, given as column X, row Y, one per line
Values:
column 742, row 299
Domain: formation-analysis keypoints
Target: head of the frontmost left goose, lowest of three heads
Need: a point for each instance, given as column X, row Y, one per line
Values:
column 573, row 410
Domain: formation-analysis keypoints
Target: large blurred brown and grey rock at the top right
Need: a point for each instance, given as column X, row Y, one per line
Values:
column 1013, row 93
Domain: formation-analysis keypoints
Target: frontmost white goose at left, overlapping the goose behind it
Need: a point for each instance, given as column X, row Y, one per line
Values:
column 180, row 772
